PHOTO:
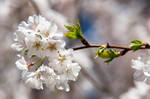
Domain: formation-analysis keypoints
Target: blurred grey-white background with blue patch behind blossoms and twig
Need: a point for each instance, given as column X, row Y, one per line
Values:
column 115, row 21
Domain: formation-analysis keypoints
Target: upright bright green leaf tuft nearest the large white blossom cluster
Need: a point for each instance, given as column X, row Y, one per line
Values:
column 75, row 32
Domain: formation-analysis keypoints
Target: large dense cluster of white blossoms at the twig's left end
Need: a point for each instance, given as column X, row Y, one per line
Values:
column 43, row 58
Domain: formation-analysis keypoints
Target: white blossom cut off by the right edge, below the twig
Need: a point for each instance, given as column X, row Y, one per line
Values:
column 142, row 70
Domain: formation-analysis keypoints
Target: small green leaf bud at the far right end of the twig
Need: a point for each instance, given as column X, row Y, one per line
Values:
column 136, row 44
